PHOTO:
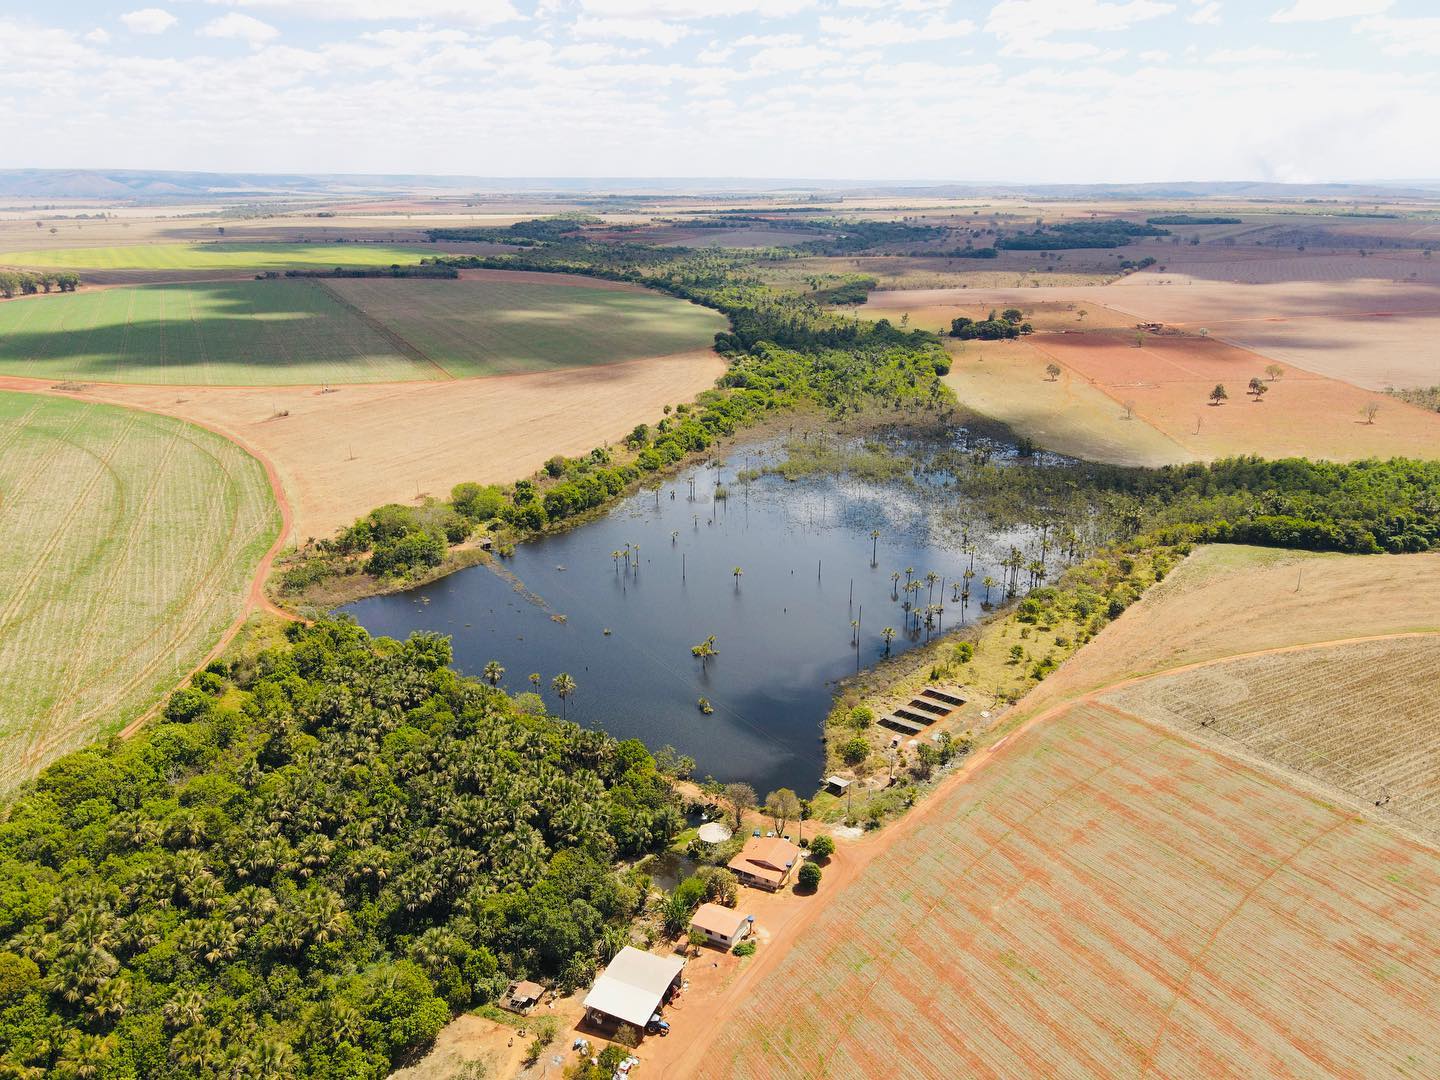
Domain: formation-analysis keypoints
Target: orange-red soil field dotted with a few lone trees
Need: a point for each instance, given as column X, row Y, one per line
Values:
column 1170, row 379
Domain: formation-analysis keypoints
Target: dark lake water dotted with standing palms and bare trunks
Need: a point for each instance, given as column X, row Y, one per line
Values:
column 783, row 629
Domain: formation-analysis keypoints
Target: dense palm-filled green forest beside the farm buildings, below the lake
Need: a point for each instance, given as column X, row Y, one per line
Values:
column 309, row 866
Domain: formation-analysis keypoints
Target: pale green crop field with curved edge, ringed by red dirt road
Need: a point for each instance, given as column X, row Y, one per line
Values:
column 127, row 546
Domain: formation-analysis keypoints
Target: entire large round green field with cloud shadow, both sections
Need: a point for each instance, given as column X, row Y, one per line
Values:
column 307, row 332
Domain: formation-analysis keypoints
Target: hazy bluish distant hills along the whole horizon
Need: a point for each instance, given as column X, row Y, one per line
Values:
column 148, row 186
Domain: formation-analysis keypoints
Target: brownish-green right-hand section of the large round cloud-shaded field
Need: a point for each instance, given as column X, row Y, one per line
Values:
column 500, row 328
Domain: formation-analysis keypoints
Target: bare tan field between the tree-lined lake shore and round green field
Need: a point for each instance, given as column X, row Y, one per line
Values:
column 345, row 453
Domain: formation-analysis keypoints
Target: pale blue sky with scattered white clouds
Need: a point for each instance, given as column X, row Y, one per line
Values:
column 1063, row 91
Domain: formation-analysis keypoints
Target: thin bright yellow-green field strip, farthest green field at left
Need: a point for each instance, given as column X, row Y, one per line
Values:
column 220, row 256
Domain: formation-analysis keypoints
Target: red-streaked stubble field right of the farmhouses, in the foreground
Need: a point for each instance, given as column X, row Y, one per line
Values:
column 1105, row 898
